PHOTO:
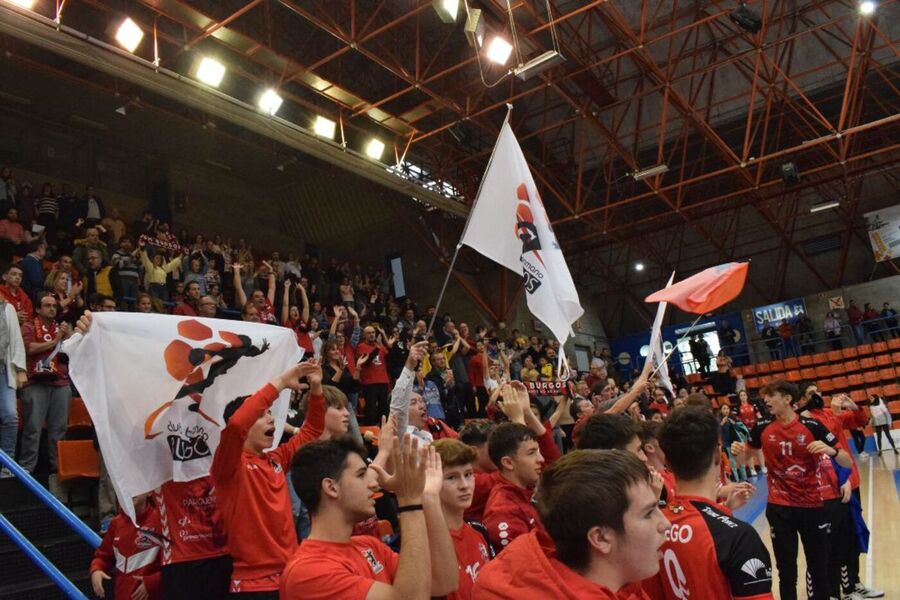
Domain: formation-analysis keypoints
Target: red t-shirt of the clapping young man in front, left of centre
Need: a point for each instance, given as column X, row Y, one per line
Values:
column 326, row 570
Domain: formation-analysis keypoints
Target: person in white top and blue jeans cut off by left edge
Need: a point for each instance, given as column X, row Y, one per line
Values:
column 13, row 374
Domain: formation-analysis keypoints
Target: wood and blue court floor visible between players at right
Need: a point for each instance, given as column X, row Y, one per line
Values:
column 880, row 490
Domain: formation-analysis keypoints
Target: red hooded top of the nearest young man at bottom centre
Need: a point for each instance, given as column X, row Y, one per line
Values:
column 527, row 571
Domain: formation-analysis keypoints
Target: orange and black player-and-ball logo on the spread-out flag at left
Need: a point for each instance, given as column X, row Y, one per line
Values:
column 197, row 364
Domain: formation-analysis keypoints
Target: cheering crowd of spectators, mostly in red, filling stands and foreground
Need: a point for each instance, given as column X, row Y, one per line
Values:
column 461, row 424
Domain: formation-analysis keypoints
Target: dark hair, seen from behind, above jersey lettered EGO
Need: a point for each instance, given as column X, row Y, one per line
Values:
column 689, row 437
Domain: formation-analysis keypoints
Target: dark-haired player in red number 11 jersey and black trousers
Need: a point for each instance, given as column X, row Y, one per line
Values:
column 791, row 446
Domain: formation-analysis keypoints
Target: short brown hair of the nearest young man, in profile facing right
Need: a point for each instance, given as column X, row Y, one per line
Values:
column 586, row 489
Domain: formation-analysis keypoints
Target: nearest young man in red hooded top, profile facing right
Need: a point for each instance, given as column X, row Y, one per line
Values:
column 606, row 529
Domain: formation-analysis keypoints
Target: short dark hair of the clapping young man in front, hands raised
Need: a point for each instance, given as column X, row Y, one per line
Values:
column 321, row 460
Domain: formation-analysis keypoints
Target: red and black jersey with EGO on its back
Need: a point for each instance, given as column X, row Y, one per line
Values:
column 708, row 554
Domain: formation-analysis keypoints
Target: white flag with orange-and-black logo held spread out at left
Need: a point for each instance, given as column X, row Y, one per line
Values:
column 156, row 387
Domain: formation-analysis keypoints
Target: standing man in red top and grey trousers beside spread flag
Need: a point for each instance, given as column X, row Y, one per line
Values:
column 46, row 395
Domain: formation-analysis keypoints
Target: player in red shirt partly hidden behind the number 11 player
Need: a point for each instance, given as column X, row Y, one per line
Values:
column 837, row 488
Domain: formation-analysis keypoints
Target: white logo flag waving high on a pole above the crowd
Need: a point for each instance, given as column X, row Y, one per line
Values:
column 510, row 226
